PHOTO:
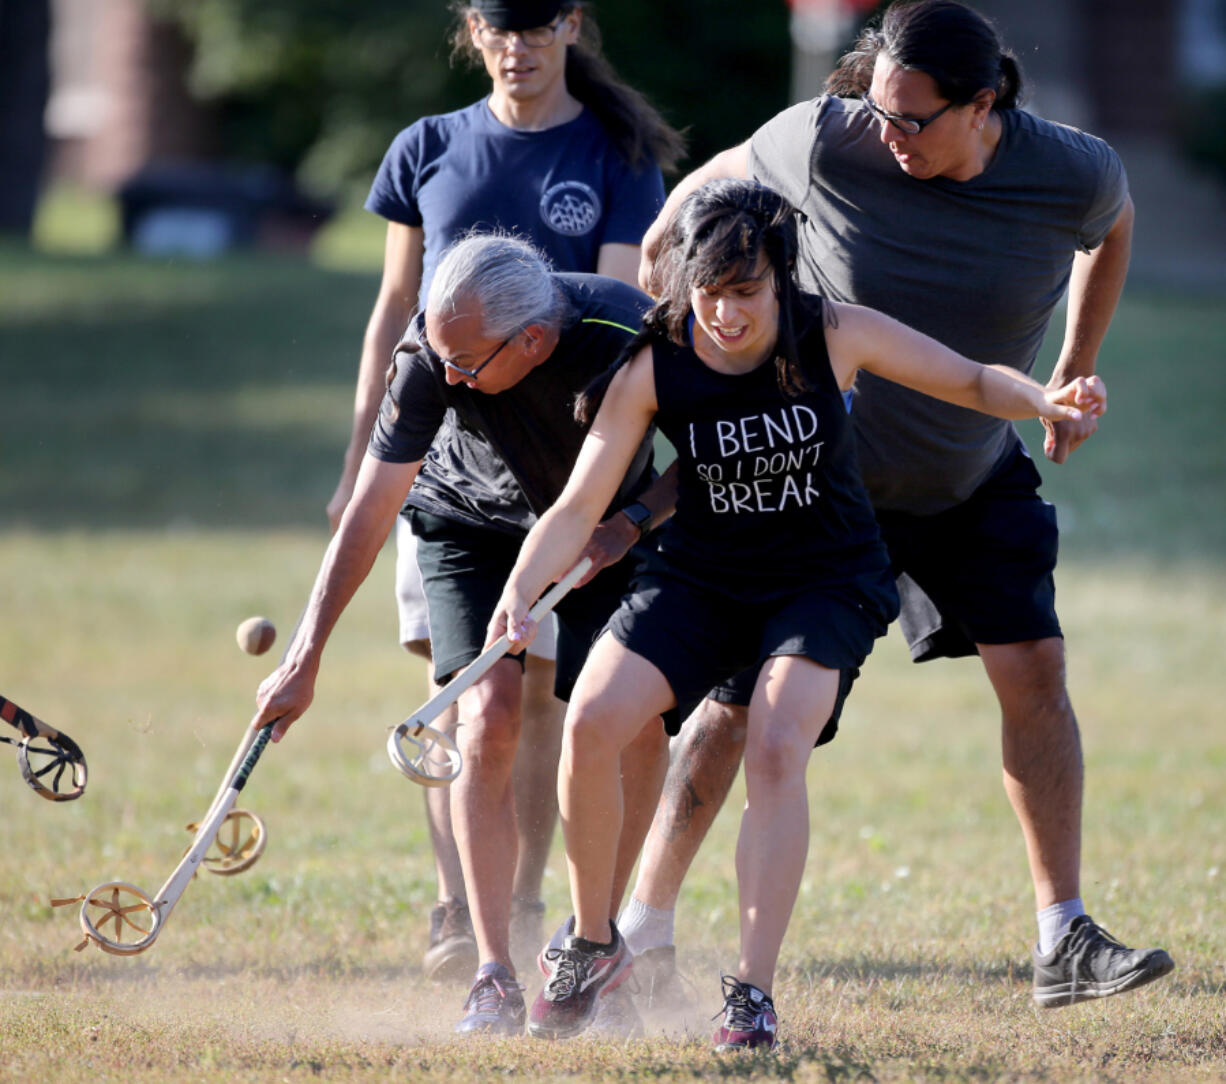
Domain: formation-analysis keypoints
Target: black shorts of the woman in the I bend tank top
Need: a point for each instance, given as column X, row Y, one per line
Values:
column 708, row 644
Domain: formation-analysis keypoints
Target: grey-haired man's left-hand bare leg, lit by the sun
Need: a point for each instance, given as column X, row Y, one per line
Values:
column 484, row 805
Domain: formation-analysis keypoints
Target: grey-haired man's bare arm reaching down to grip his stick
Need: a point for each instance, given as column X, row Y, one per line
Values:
column 366, row 522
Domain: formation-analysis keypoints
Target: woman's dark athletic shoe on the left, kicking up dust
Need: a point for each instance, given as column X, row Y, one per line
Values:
column 581, row 973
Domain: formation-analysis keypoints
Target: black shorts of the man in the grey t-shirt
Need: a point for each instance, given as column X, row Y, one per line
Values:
column 981, row 572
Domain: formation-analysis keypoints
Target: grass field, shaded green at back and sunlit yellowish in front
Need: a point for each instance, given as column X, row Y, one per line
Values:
column 171, row 435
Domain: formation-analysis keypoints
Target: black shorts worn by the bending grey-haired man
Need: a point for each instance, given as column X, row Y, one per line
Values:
column 464, row 571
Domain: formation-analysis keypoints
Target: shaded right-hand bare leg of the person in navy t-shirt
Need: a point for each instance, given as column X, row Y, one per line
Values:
column 536, row 777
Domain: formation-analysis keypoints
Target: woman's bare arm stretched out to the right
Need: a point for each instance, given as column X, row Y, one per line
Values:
column 866, row 339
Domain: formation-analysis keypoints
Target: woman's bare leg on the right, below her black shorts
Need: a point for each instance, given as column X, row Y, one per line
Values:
column 793, row 701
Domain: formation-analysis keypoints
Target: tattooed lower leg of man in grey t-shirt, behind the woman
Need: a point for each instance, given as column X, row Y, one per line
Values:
column 706, row 758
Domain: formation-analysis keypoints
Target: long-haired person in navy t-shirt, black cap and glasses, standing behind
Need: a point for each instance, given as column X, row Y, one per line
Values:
column 568, row 158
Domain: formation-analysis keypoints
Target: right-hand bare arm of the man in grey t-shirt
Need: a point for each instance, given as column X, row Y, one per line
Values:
column 1094, row 292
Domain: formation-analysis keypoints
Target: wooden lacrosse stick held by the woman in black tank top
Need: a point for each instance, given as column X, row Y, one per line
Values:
column 437, row 761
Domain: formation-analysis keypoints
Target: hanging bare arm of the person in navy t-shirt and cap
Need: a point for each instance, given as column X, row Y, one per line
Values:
column 398, row 296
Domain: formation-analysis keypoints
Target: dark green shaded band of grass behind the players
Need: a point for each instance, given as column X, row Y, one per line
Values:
column 142, row 393
